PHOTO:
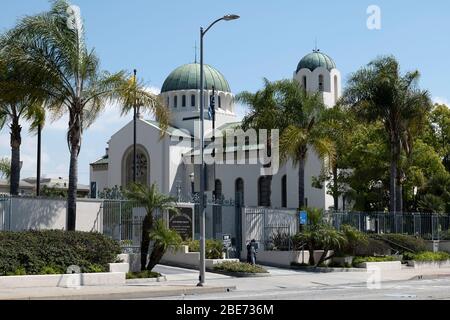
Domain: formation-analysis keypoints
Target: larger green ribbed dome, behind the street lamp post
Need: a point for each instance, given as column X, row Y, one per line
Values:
column 187, row 77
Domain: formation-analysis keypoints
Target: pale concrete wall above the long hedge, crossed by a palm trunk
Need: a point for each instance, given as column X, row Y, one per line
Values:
column 48, row 214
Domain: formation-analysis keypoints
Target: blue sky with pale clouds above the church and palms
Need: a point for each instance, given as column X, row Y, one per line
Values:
column 268, row 41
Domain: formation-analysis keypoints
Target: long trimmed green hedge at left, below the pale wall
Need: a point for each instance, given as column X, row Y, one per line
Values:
column 50, row 252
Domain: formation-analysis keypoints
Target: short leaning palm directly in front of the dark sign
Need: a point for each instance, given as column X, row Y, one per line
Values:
column 163, row 238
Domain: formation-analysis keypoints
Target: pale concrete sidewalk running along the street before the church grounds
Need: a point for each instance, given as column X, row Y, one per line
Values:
column 184, row 284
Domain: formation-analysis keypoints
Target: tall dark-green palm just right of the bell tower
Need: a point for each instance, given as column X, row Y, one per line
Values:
column 379, row 92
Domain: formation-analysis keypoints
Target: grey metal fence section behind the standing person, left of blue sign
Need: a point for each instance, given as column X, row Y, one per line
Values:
column 272, row 228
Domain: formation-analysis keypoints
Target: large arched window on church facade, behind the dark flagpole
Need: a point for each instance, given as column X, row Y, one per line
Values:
column 142, row 167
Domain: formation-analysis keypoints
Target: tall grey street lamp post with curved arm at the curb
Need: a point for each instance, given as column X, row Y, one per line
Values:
column 202, row 151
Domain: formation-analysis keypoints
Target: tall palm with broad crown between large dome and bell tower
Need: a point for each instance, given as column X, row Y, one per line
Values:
column 286, row 106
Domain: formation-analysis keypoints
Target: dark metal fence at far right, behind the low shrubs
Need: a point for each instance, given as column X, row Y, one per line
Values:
column 426, row 225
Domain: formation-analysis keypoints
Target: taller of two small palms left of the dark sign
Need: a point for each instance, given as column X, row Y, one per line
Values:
column 152, row 200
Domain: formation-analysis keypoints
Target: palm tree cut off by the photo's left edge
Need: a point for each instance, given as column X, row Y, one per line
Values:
column 19, row 101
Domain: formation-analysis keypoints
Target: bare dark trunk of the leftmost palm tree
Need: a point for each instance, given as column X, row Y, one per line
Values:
column 16, row 141
